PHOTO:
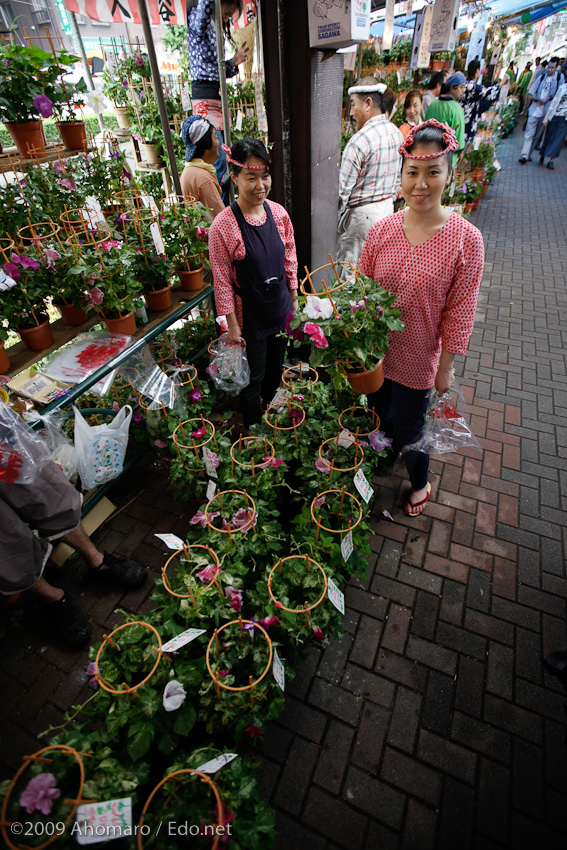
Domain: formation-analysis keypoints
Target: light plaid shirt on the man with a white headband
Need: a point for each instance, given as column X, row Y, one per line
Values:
column 371, row 165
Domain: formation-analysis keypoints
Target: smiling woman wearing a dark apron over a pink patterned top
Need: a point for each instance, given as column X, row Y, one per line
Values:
column 254, row 263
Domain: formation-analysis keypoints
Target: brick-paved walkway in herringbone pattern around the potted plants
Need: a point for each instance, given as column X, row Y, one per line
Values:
column 431, row 723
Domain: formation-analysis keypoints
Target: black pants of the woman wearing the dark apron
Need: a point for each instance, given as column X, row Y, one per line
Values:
column 265, row 359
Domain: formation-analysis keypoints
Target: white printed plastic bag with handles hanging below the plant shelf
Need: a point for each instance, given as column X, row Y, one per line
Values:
column 101, row 448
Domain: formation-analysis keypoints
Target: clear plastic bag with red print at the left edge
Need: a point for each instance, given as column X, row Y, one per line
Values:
column 22, row 452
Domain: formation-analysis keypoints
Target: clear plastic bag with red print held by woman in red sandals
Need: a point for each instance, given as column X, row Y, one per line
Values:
column 445, row 429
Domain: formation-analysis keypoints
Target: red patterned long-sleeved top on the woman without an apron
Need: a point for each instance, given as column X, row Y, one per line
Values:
column 437, row 285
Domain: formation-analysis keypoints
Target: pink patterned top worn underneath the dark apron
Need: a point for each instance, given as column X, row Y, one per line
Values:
column 226, row 244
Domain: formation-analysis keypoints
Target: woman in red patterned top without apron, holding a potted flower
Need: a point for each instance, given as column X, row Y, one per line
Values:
column 432, row 259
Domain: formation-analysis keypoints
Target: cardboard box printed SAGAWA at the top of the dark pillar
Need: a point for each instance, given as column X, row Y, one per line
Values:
column 338, row 23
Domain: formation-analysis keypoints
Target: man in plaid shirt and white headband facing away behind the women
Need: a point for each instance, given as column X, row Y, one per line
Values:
column 369, row 178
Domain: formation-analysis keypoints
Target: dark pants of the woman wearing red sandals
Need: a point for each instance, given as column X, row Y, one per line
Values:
column 402, row 413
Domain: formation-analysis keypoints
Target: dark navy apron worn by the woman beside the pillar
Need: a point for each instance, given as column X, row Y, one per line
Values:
column 260, row 277
